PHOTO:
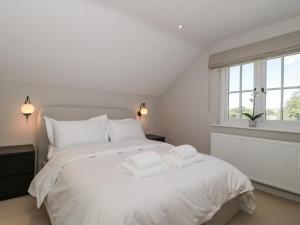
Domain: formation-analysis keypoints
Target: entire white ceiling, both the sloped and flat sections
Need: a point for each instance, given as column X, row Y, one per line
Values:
column 122, row 45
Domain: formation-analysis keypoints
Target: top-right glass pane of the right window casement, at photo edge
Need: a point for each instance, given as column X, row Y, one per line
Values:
column 292, row 70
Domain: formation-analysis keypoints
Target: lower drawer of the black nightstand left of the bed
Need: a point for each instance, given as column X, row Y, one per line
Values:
column 14, row 186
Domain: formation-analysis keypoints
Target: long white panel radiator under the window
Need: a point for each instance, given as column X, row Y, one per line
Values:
column 275, row 163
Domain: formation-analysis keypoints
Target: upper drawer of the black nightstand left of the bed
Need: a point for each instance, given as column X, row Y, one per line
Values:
column 16, row 164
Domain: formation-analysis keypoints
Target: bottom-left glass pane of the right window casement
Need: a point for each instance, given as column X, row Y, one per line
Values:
column 273, row 105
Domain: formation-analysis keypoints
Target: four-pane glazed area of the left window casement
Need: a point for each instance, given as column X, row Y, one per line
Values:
column 240, row 95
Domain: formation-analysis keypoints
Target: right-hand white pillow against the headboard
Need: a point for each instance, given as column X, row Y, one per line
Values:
column 127, row 129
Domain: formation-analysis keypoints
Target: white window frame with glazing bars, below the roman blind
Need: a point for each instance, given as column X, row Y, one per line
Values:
column 260, row 79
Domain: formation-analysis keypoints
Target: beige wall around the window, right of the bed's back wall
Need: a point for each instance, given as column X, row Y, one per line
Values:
column 186, row 108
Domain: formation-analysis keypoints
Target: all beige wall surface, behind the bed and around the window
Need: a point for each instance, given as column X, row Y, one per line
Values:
column 181, row 114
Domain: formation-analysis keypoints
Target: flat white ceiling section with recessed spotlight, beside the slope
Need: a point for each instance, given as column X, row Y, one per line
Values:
column 208, row 21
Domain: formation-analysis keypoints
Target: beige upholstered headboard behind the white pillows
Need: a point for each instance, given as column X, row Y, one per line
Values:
column 68, row 113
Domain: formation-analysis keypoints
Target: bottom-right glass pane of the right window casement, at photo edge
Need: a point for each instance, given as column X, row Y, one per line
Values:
column 291, row 104
